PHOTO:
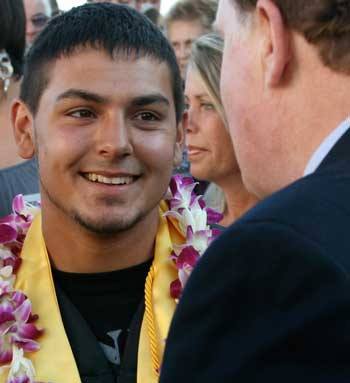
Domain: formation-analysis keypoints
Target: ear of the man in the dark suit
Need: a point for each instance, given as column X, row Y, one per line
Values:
column 276, row 42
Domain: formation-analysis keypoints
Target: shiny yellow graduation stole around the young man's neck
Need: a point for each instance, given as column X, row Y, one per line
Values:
column 54, row 362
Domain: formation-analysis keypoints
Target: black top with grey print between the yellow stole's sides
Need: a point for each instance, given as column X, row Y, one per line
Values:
column 107, row 303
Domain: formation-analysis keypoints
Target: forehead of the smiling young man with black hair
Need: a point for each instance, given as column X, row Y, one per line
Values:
column 96, row 71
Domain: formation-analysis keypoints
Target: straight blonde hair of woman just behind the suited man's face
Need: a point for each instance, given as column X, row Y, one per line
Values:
column 206, row 59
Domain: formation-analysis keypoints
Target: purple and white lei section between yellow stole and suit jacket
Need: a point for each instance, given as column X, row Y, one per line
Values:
column 194, row 219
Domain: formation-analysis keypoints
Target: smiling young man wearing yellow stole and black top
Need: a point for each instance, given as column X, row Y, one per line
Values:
column 100, row 103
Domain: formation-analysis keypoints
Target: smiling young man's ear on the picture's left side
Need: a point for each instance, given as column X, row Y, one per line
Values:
column 23, row 129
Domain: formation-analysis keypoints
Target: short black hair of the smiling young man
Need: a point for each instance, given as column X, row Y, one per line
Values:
column 116, row 29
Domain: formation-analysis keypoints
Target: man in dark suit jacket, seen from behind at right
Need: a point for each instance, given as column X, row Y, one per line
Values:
column 269, row 302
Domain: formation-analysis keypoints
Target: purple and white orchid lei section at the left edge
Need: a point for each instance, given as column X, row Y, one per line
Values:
column 18, row 333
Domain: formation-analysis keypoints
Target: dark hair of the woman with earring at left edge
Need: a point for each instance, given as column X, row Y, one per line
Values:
column 12, row 32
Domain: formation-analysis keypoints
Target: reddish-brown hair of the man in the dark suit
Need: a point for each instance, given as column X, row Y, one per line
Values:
column 324, row 23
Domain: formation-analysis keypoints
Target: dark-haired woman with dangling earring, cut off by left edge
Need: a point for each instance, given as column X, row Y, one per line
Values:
column 16, row 176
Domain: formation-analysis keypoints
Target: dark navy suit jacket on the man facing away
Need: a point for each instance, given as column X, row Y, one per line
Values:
column 269, row 300
